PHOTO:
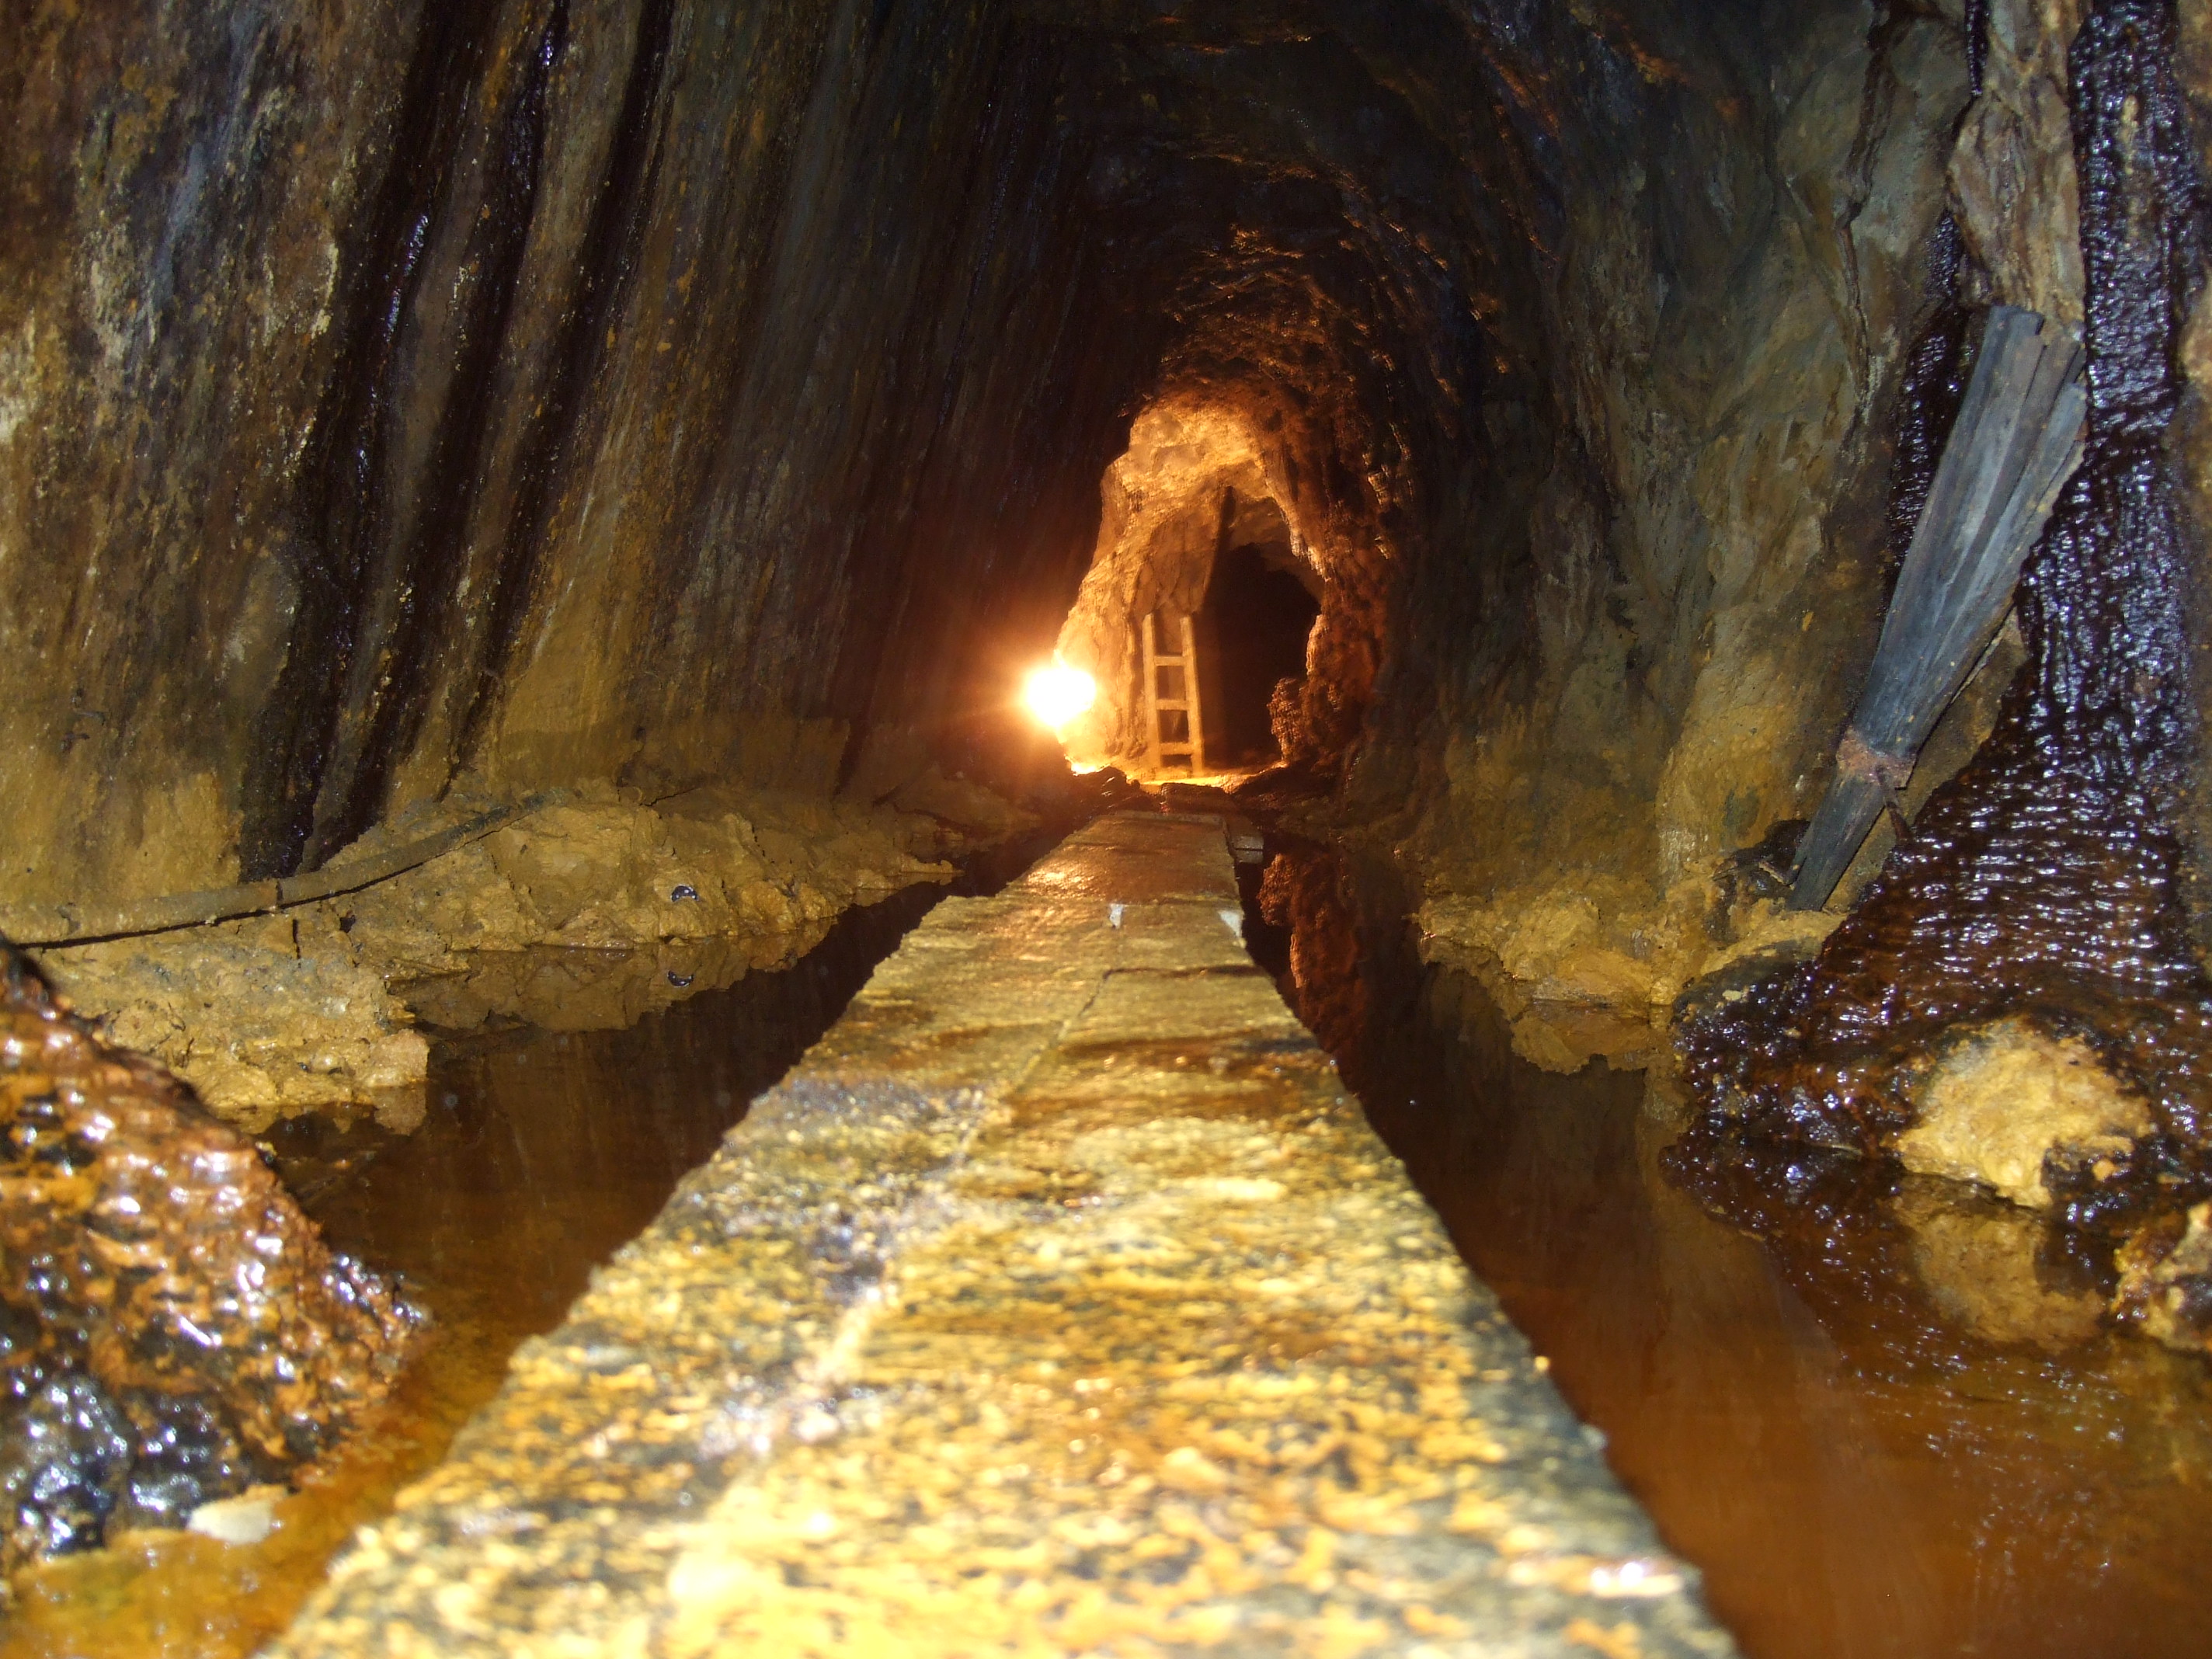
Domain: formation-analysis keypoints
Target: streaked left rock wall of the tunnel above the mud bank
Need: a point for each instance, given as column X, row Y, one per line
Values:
column 514, row 393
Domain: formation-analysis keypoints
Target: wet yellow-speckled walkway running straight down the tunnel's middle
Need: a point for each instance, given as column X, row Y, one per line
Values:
column 1058, row 1302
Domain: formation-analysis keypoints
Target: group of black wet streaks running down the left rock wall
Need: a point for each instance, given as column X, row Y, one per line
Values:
column 379, row 585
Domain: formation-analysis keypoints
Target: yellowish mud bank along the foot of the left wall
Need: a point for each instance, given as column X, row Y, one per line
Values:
column 587, row 912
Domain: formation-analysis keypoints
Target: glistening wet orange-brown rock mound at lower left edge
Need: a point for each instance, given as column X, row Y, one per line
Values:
column 171, row 1326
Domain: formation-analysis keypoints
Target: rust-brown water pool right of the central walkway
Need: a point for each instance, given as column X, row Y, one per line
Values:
column 1850, row 1468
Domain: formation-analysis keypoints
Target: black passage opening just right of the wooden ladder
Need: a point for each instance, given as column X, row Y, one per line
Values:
column 1253, row 634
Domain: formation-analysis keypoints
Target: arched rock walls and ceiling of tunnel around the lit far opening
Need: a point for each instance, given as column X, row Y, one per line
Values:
column 492, row 397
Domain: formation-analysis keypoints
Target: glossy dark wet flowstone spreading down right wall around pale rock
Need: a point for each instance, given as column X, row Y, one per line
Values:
column 2045, row 884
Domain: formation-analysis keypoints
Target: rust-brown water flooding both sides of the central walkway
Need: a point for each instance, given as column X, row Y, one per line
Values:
column 1808, row 1397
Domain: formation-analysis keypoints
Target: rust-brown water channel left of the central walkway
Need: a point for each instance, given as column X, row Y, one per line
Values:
column 541, row 1156
